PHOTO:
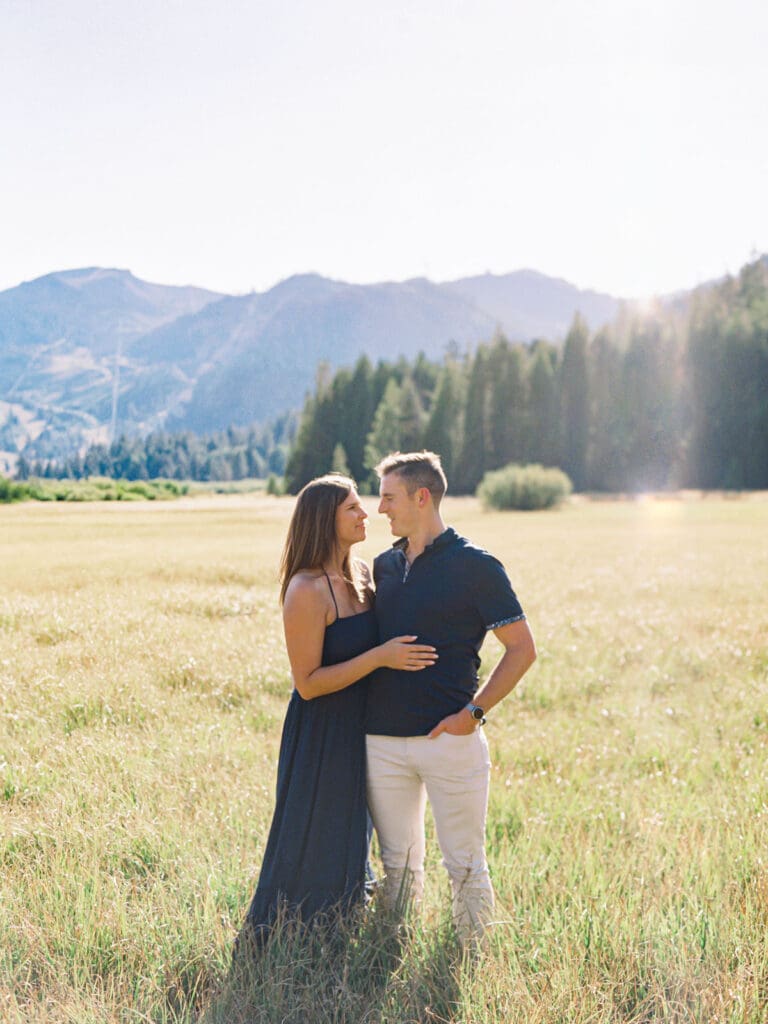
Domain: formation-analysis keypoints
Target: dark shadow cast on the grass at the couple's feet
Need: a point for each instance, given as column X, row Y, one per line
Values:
column 371, row 972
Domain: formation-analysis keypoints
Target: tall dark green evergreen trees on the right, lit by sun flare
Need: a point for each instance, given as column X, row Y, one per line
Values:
column 676, row 397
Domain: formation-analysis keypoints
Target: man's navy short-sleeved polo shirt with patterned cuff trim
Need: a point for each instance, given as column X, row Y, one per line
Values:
column 453, row 594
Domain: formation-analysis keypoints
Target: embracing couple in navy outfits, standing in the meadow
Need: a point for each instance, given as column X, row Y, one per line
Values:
column 386, row 712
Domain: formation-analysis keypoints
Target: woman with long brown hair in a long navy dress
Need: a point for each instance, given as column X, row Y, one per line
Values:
column 317, row 851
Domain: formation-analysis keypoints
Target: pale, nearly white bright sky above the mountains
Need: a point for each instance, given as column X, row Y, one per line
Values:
column 621, row 145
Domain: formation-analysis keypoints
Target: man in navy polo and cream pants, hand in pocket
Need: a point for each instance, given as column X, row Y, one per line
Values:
column 423, row 730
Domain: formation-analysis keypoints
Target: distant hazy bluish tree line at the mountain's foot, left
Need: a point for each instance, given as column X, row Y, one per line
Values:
column 235, row 454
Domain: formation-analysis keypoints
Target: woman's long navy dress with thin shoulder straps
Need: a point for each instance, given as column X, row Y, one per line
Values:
column 317, row 852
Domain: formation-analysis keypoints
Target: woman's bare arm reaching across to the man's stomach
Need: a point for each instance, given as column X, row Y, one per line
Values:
column 305, row 618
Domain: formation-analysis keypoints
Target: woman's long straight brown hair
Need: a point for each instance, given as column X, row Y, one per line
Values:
column 312, row 533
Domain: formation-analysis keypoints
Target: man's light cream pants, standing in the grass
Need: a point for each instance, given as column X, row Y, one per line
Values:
column 454, row 773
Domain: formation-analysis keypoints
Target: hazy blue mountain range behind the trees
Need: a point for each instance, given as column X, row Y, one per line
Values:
column 91, row 354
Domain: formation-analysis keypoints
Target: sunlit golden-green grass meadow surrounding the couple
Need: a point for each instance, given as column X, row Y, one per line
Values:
column 143, row 684
